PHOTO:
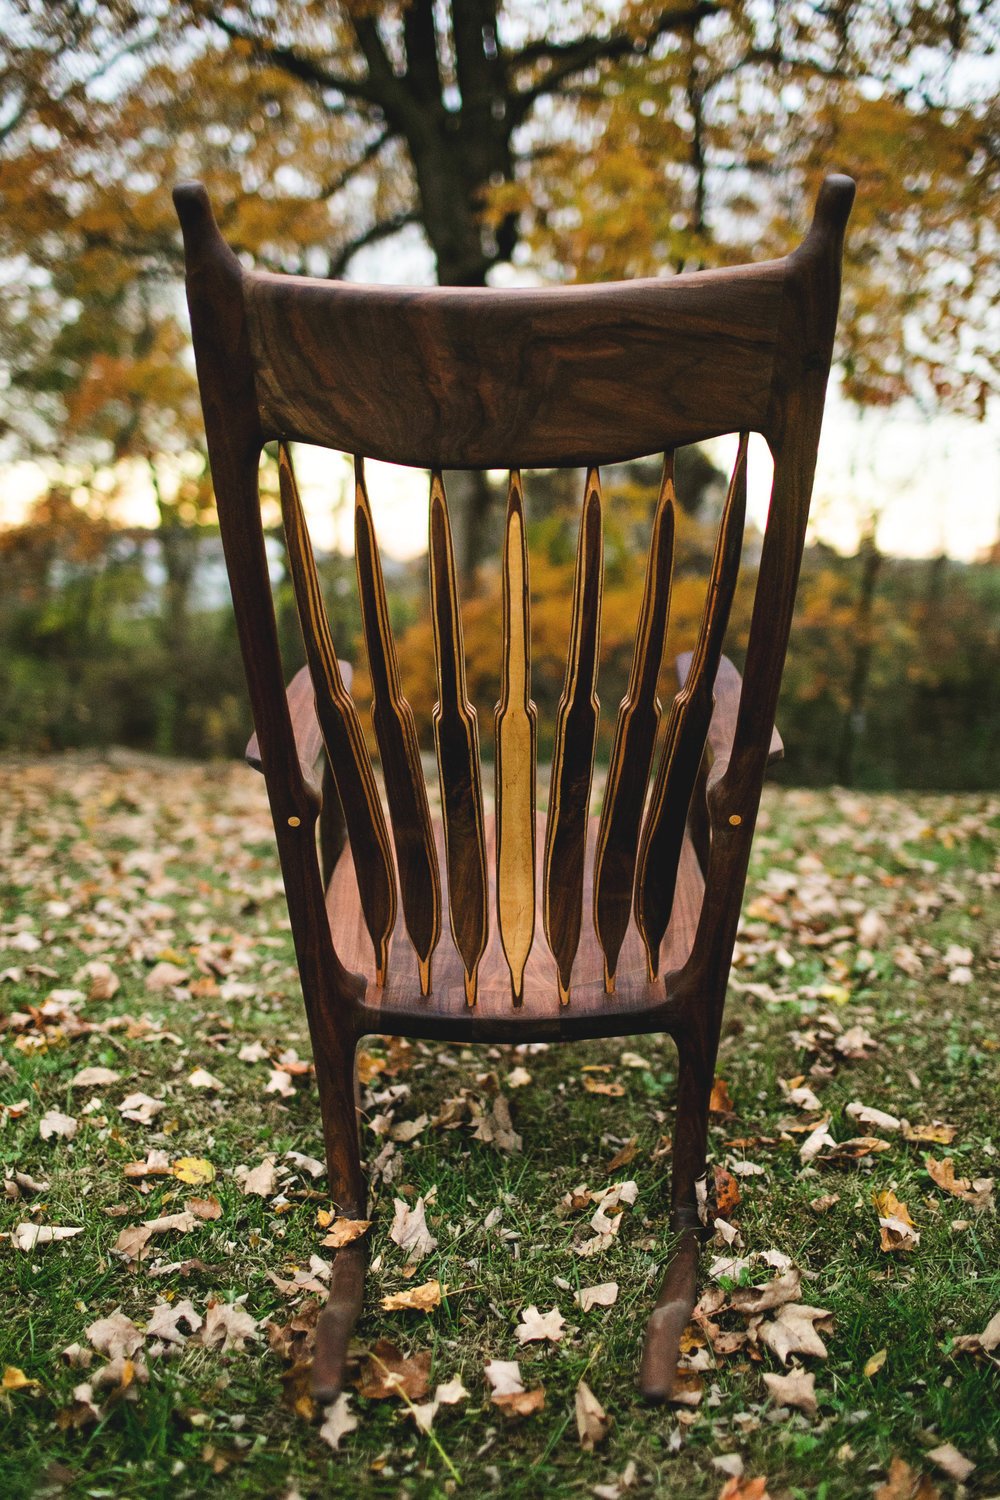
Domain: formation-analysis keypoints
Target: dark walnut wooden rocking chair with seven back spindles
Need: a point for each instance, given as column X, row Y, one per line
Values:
column 512, row 931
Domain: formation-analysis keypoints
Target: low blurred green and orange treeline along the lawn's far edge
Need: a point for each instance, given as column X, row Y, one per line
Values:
column 127, row 638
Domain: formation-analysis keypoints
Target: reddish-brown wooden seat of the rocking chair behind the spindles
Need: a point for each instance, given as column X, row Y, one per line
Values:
column 400, row 1009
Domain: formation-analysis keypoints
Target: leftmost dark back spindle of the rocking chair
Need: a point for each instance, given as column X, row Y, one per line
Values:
column 341, row 730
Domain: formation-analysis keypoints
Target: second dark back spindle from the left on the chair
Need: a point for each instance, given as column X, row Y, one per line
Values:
column 397, row 736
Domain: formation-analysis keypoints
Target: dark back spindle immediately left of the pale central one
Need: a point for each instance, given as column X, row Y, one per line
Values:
column 458, row 745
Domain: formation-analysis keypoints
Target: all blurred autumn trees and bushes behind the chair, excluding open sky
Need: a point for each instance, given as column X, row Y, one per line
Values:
column 473, row 143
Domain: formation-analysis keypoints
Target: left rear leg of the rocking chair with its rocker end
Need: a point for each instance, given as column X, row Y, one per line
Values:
column 337, row 1075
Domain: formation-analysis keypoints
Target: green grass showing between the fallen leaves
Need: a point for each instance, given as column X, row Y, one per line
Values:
column 133, row 863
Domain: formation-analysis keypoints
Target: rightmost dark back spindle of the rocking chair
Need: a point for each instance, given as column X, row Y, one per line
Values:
column 687, row 728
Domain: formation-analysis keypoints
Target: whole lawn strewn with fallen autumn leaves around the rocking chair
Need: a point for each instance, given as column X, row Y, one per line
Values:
column 145, row 937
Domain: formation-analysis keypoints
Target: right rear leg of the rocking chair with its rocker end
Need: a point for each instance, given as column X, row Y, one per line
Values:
column 678, row 1294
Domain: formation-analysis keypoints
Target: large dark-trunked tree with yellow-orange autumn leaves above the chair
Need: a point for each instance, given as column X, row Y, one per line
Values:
column 587, row 140
